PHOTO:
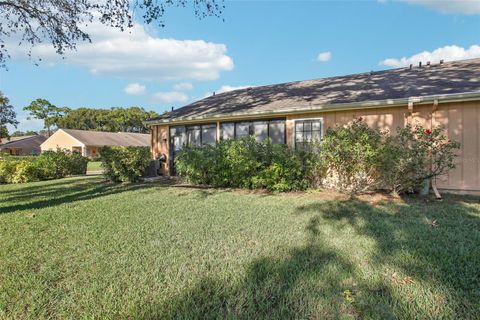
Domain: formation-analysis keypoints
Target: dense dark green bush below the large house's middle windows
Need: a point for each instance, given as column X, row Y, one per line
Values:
column 242, row 163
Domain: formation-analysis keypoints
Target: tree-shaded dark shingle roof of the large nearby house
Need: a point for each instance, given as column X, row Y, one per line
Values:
column 380, row 88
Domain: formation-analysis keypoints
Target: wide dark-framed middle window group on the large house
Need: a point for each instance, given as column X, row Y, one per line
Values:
column 261, row 130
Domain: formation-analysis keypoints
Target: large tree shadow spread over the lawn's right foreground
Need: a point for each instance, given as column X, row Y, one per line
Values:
column 315, row 281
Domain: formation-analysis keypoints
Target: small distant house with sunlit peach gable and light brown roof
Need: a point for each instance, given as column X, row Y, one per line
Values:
column 87, row 142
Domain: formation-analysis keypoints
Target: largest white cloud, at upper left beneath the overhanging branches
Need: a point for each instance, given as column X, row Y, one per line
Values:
column 135, row 54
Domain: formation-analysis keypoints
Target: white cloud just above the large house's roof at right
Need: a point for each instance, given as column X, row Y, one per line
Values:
column 447, row 53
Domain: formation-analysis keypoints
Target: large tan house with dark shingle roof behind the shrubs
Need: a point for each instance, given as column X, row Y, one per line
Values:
column 446, row 94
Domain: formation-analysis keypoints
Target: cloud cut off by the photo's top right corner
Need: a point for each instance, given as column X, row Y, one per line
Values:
column 450, row 6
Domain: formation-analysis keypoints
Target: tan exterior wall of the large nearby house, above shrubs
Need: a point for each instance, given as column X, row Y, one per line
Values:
column 461, row 121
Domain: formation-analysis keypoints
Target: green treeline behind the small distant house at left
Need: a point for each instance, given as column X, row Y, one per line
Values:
column 117, row 119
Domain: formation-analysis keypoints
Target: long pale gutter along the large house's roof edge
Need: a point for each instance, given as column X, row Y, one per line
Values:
column 422, row 100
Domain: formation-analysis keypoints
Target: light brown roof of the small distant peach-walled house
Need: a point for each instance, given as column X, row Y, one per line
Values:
column 99, row 138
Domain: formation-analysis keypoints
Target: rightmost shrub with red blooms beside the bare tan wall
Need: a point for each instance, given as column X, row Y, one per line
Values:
column 415, row 154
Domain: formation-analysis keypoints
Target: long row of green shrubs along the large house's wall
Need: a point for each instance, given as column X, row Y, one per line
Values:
column 352, row 159
